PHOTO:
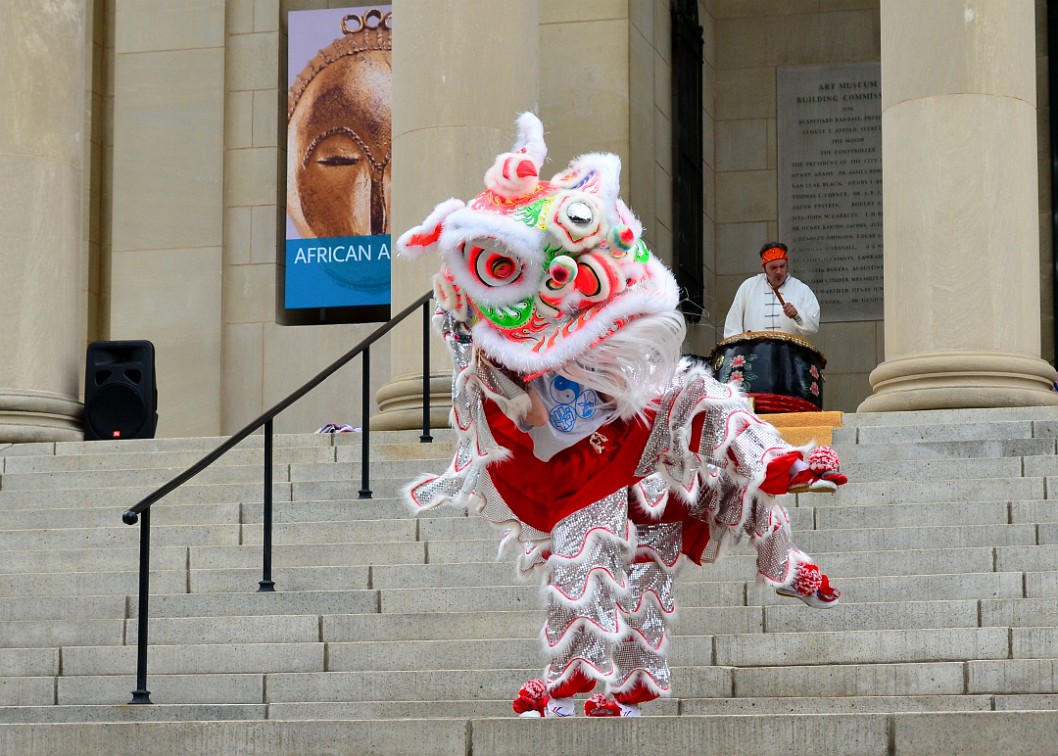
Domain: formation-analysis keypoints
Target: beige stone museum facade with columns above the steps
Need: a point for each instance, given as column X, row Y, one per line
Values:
column 143, row 149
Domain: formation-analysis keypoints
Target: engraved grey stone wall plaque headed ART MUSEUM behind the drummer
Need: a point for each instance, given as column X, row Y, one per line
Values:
column 830, row 185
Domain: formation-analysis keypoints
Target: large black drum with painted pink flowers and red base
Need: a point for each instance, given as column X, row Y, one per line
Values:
column 782, row 373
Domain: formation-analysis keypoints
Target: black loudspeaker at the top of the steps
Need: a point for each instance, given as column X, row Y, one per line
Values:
column 121, row 398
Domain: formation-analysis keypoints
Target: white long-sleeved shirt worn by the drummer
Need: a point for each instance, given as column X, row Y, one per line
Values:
column 756, row 308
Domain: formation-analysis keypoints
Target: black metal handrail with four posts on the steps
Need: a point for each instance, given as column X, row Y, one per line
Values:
column 133, row 515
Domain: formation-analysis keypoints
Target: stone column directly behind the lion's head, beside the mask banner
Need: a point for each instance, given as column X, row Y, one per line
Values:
column 463, row 72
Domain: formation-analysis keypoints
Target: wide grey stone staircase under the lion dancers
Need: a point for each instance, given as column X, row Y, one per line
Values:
column 390, row 635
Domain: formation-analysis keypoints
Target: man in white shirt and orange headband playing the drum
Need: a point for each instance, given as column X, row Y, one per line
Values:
column 774, row 300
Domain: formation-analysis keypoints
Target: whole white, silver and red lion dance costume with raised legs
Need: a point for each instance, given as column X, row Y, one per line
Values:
column 583, row 434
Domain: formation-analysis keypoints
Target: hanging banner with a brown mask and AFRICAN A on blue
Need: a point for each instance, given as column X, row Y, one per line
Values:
column 339, row 146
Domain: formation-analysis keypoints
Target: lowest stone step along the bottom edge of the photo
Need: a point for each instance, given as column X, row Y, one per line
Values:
column 970, row 733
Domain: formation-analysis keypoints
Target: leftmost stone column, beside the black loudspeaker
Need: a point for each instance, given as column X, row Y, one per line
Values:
column 44, row 65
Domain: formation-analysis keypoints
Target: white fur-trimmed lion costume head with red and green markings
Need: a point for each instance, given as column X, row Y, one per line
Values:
column 544, row 271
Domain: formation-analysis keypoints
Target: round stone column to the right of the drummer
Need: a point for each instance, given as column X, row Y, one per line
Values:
column 962, row 269
